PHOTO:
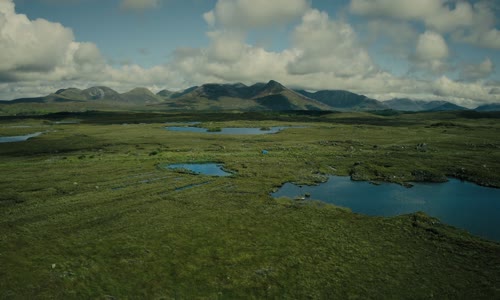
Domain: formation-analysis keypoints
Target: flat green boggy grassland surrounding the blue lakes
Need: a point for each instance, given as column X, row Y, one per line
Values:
column 87, row 211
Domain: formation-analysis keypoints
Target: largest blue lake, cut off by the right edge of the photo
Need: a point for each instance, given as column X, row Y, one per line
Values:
column 461, row 204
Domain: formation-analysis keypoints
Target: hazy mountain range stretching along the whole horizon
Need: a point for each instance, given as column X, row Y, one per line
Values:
column 260, row 96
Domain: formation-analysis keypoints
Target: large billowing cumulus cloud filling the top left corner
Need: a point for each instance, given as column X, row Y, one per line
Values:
column 42, row 49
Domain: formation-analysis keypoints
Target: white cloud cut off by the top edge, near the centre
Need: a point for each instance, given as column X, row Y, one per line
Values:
column 246, row 14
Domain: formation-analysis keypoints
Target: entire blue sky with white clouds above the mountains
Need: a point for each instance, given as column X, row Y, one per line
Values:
column 426, row 49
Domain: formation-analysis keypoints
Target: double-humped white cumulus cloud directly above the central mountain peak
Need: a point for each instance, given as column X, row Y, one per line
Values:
column 319, row 46
